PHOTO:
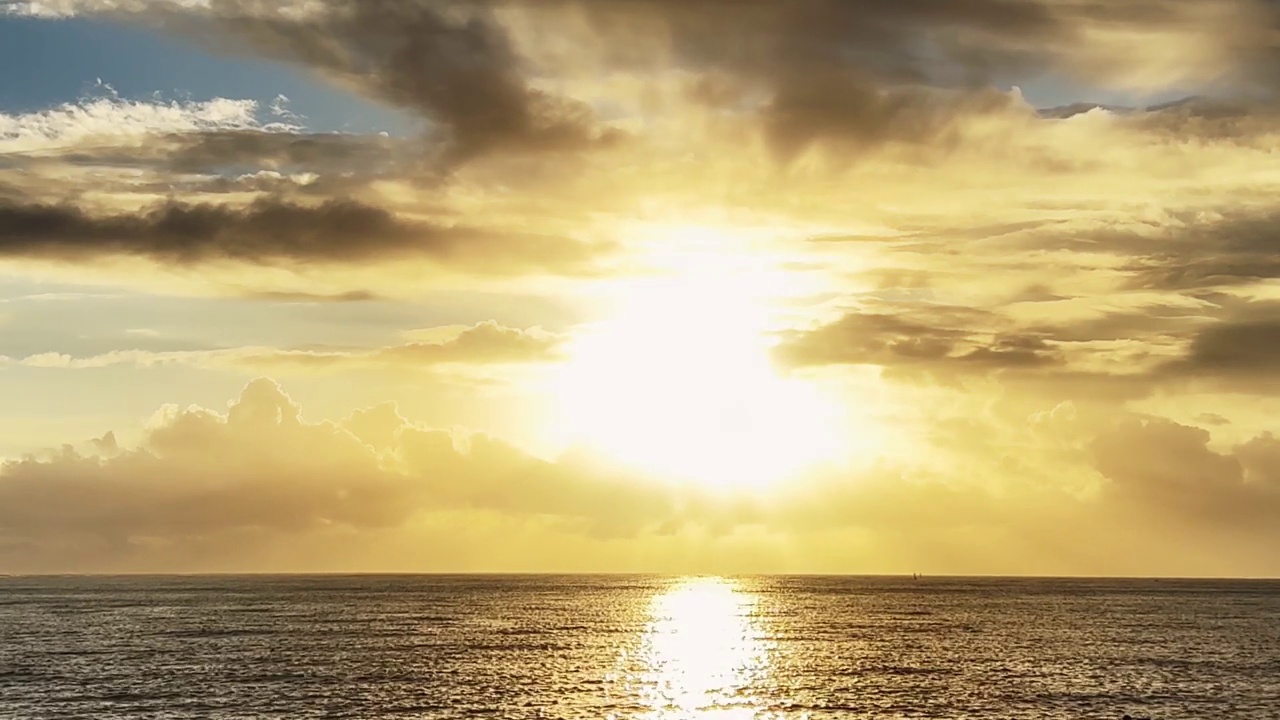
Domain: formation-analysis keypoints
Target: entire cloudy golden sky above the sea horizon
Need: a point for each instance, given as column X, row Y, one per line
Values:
column 828, row 286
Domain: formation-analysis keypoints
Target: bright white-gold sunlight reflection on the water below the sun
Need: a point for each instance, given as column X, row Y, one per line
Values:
column 702, row 654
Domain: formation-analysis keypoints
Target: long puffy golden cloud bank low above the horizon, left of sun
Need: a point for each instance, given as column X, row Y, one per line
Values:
column 262, row 468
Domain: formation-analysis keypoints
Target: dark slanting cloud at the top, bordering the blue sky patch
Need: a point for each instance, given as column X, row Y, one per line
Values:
column 451, row 63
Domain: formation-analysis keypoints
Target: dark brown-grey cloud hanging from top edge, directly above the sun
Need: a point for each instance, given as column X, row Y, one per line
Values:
column 857, row 74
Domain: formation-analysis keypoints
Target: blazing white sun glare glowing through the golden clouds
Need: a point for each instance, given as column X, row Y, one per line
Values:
column 679, row 384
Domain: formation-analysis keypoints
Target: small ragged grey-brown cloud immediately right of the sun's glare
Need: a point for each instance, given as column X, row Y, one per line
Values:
column 897, row 341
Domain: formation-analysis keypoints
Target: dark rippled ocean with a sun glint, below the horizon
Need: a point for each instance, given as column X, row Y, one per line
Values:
column 598, row 648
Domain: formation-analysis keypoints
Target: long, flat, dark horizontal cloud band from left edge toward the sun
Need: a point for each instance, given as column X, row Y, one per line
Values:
column 273, row 231
